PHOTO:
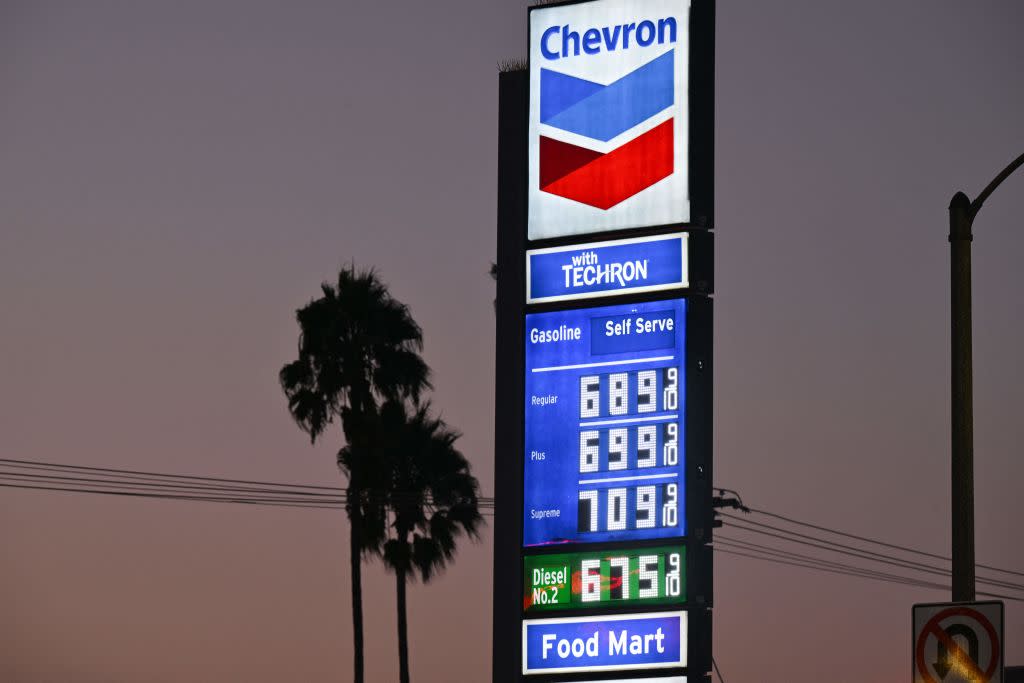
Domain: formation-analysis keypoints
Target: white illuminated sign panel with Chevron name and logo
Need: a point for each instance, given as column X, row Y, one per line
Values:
column 609, row 116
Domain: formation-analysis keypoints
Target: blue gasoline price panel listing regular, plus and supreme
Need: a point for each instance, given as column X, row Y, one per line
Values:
column 605, row 457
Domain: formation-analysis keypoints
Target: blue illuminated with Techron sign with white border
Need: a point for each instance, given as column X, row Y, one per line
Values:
column 605, row 269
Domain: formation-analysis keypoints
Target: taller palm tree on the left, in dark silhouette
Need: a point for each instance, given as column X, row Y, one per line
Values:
column 359, row 348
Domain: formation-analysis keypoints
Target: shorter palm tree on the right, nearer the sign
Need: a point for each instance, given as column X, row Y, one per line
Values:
column 432, row 500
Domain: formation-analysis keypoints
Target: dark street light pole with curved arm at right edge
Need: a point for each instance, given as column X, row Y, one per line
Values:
column 962, row 215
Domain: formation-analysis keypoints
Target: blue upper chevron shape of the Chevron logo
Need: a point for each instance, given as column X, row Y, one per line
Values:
column 603, row 112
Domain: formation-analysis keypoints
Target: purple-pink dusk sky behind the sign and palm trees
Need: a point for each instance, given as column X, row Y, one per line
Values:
column 177, row 179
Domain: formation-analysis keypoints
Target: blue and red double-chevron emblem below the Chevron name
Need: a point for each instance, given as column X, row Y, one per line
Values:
column 604, row 113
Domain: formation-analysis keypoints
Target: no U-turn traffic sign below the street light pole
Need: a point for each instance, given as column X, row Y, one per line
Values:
column 959, row 643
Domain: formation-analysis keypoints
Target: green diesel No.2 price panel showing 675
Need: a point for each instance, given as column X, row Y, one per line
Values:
column 649, row 576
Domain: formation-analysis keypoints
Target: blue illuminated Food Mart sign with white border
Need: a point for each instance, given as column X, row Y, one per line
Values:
column 622, row 643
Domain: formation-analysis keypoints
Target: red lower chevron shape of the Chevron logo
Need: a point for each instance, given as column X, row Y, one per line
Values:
column 605, row 181
